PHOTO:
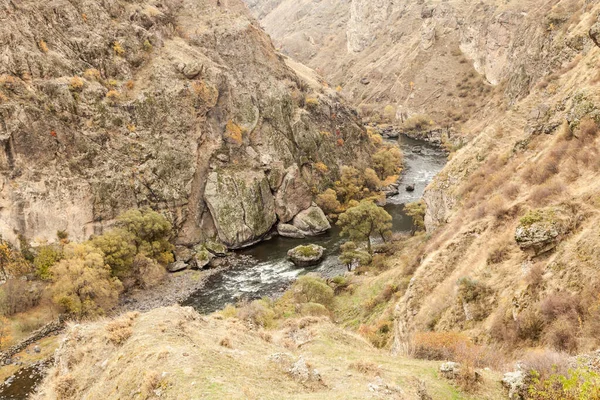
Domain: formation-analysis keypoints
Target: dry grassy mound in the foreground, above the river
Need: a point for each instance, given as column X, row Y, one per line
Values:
column 174, row 353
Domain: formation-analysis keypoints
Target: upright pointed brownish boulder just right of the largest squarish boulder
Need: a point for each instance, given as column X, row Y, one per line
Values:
column 292, row 196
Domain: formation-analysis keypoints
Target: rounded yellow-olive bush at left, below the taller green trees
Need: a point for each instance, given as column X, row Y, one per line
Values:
column 82, row 285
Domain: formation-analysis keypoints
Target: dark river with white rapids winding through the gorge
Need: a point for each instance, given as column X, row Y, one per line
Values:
column 271, row 271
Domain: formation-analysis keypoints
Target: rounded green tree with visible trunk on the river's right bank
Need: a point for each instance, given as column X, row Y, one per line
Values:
column 366, row 219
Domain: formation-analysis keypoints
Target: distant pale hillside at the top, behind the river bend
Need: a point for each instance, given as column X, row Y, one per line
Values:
column 440, row 58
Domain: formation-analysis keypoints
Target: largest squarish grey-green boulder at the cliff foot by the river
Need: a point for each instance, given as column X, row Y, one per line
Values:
column 241, row 204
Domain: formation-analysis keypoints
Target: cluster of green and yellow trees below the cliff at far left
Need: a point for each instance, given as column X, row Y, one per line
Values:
column 85, row 279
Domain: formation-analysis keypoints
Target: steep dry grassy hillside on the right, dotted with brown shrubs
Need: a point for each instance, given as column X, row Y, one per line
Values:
column 513, row 218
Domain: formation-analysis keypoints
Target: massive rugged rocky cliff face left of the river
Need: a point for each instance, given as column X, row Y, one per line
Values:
column 182, row 105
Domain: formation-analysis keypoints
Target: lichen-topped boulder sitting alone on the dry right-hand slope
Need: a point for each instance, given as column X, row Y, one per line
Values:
column 541, row 230
